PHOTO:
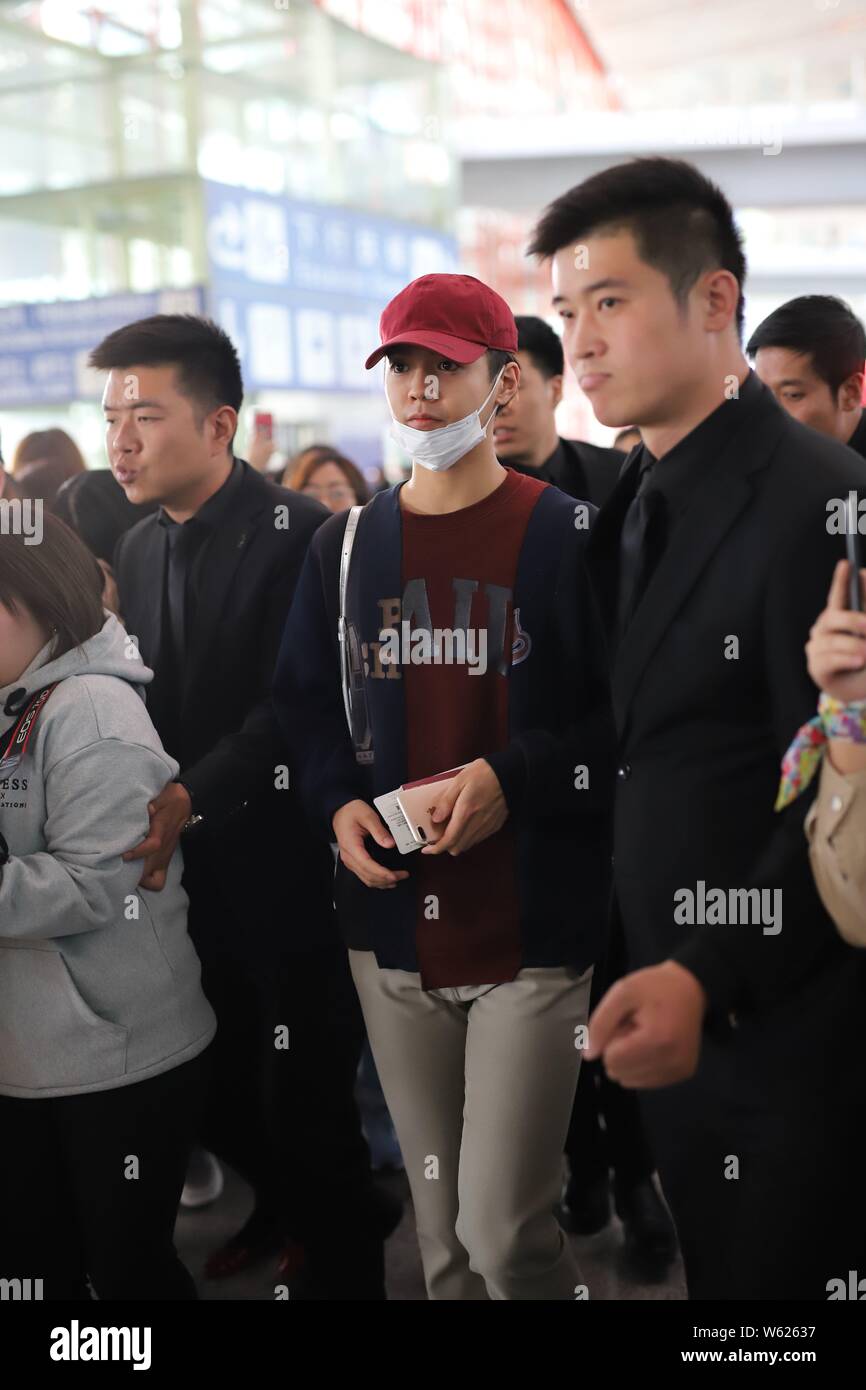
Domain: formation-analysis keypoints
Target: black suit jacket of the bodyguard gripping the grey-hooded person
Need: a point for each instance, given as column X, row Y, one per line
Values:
column 254, row 856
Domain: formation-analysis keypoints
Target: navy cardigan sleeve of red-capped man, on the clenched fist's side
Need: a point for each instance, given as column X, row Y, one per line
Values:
column 540, row 771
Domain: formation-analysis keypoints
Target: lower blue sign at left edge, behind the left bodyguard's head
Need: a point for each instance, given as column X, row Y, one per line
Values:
column 45, row 348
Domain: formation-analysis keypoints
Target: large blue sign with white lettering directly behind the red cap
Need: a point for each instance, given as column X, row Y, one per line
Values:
column 300, row 287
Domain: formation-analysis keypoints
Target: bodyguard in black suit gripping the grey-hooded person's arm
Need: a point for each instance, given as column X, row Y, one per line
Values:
column 205, row 586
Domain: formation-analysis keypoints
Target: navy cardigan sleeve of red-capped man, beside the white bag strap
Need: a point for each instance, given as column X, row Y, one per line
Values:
column 308, row 692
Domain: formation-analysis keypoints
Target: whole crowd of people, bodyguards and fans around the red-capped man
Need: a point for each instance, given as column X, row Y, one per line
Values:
column 626, row 932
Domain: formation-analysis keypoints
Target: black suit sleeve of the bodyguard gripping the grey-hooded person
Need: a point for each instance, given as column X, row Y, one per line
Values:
column 238, row 767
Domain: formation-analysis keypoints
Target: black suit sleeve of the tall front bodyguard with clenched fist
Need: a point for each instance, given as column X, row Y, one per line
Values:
column 742, row 965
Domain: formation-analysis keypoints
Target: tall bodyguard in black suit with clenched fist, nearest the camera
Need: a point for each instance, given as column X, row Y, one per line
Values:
column 744, row 1022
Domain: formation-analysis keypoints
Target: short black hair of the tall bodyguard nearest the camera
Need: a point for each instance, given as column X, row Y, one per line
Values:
column 682, row 222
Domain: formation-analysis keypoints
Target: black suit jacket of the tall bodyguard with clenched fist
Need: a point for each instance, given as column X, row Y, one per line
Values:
column 701, row 736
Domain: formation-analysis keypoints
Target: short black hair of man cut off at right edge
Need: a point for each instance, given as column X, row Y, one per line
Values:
column 821, row 326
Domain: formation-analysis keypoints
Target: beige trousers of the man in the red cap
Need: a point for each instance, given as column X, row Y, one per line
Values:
column 480, row 1089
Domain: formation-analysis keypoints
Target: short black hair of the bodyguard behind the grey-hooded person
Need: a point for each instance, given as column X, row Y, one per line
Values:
column 209, row 370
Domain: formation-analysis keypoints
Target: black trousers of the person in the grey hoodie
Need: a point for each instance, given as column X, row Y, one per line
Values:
column 90, row 1188
